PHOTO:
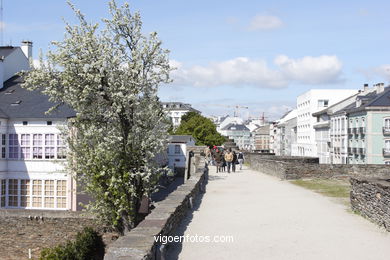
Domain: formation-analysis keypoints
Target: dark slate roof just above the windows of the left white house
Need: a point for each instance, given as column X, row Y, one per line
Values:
column 18, row 102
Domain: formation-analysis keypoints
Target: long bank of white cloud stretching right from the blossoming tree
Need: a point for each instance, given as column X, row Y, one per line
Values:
column 243, row 71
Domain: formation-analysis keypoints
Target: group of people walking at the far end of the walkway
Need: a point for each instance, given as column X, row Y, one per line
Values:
column 224, row 160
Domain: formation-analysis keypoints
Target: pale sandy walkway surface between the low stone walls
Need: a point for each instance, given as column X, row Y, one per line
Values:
column 273, row 219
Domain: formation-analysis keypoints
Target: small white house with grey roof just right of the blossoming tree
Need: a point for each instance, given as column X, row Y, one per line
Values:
column 177, row 150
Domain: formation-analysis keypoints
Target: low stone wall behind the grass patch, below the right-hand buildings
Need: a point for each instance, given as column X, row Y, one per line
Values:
column 287, row 167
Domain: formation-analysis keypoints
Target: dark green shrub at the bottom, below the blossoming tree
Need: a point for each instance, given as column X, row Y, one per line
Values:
column 87, row 245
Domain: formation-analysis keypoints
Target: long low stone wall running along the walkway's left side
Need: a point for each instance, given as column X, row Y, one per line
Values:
column 139, row 243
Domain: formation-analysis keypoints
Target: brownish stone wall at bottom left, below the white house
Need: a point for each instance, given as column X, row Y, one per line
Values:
column 21, row 230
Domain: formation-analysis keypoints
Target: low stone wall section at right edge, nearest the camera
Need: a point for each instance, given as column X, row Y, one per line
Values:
column 371, row 198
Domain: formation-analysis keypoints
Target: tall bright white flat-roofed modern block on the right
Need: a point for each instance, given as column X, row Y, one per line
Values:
column 308, row 103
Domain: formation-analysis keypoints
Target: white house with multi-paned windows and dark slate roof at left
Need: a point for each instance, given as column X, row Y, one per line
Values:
column 32, row 175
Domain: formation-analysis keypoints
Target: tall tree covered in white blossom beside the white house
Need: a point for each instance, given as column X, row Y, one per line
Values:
column 110, row 77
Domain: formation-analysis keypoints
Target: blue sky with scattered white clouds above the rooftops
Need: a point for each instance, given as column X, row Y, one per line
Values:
column 257, row 55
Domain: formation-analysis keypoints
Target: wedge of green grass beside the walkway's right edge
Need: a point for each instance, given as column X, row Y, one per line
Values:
column 332, row 188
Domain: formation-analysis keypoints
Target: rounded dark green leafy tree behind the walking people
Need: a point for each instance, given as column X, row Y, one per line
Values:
column 201, row 128
